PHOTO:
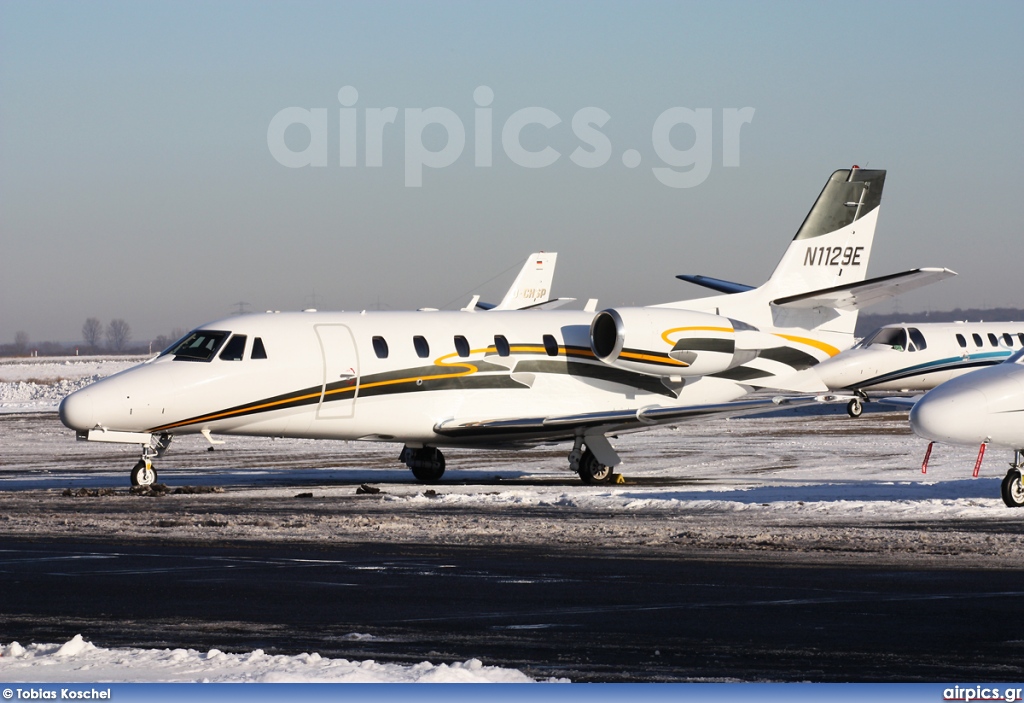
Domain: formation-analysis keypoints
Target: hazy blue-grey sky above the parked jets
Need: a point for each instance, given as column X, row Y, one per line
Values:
column 165, row 162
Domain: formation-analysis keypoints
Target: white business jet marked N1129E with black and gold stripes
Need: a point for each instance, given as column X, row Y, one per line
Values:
column 503, row 379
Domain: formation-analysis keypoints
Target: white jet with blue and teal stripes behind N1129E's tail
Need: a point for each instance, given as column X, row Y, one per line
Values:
column 918, row 358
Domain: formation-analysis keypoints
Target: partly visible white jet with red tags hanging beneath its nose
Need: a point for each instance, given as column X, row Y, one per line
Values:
column 984, row 408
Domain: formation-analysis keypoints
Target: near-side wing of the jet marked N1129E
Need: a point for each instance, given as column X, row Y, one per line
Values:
column 611, row 421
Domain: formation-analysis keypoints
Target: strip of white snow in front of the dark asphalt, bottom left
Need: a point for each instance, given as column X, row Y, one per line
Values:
column 80, row 662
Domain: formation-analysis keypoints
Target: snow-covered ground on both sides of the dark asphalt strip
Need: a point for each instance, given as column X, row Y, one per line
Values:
column 819, row 490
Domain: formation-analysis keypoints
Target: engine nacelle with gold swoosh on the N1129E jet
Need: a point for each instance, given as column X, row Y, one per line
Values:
column 668, row 342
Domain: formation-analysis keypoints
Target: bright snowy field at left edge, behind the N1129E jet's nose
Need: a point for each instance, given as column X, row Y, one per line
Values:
column 38, row 384
